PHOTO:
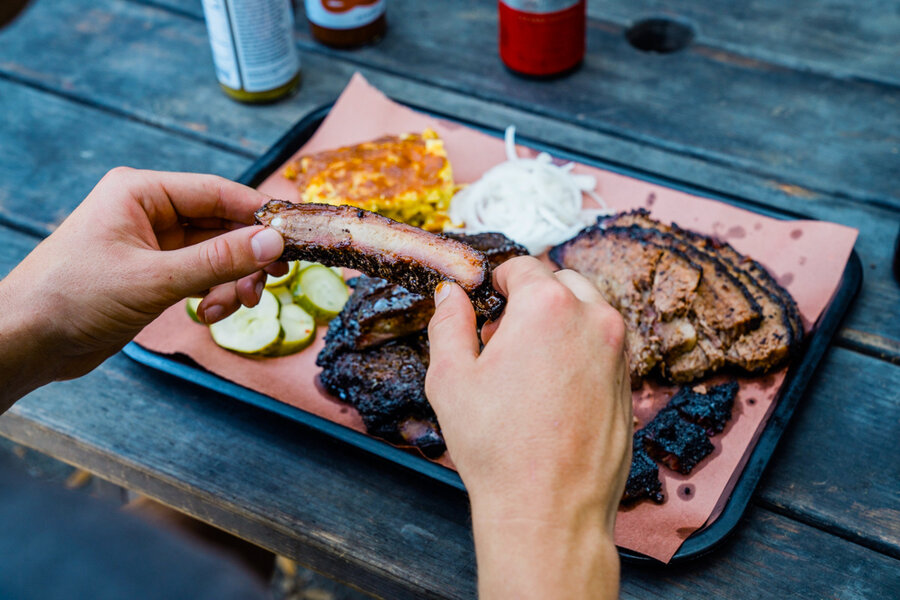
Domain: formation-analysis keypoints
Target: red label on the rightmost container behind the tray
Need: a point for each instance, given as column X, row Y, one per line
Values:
column 542, row 43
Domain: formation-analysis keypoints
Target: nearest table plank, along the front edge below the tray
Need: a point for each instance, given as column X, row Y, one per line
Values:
column 341, row 512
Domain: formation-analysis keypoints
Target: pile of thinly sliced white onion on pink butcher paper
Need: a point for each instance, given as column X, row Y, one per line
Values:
column 531, row 200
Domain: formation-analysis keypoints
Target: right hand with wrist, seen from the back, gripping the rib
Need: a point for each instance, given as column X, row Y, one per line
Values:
column 538, row 424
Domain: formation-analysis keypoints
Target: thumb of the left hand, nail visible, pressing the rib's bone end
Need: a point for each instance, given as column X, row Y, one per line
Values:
column 221, row 259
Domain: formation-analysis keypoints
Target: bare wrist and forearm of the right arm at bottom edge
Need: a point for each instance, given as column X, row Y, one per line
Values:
column 564, row 553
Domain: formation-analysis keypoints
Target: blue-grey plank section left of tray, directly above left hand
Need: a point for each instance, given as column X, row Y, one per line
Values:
column 54, row 151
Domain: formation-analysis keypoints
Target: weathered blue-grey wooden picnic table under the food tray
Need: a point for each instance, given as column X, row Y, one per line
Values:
column 790, row 105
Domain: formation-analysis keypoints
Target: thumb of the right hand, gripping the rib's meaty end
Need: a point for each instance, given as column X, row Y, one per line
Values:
column 452, row 337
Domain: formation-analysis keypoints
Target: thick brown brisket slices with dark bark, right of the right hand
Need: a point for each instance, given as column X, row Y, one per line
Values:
column 735, row 315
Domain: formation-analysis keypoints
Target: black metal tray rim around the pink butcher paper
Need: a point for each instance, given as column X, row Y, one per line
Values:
column 703, row 540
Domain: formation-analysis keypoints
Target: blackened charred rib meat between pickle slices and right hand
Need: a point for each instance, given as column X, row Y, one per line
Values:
column 386, row 384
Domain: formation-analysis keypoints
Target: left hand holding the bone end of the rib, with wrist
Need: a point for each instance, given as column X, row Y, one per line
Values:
column 140, row 242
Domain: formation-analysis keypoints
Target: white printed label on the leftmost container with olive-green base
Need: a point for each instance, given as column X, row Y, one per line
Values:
column 252, row 43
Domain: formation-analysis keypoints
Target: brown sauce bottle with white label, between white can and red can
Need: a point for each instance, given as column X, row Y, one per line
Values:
column 346, row 23
